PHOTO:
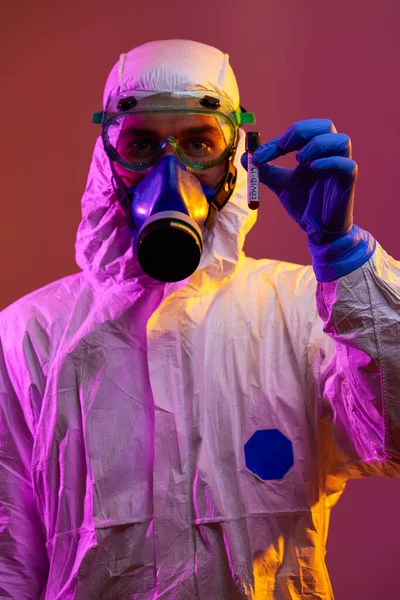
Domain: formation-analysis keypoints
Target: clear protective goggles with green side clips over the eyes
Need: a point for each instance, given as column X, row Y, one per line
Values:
column 200, row 126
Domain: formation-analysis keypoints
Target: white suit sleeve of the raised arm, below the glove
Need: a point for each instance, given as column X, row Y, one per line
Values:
column 358, row 384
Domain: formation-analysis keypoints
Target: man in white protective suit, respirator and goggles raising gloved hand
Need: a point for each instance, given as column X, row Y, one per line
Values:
column 177, row 419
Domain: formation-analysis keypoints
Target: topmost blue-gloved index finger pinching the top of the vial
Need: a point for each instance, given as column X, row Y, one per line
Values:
column 294, row 138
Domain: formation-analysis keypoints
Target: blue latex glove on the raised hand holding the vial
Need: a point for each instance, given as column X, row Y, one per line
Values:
column 318, row 194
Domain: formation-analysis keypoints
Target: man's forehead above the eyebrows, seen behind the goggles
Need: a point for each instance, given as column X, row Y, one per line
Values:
column 170, row 123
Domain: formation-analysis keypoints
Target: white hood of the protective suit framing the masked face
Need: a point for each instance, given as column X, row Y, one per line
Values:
column 104, row 248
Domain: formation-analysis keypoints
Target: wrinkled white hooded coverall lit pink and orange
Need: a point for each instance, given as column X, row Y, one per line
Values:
column 127, row 405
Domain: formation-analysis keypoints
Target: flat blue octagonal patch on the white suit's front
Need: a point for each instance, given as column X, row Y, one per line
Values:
column 269, row 454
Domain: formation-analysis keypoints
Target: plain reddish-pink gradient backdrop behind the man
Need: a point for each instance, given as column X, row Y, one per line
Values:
column 293, row 60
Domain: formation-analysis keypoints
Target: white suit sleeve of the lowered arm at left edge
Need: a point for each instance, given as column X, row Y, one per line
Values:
column 23, row 557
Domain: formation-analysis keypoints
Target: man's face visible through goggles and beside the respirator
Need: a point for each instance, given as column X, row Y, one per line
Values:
column 200, row 132
